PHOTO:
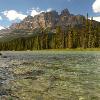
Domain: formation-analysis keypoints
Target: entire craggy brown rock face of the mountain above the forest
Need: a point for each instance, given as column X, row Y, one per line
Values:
column 49, row 19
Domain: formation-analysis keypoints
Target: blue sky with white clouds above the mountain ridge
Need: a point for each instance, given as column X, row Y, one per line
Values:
column 12, row 11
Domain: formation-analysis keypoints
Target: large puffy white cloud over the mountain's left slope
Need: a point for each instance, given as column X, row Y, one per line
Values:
column 13, row 15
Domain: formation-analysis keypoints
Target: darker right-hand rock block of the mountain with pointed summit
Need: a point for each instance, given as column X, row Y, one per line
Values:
column 67, row 19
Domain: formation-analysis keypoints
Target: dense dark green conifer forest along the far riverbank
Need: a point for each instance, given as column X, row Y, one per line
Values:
column 86, row 36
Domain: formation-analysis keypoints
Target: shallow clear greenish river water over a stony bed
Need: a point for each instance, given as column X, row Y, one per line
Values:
column 50, row 75
